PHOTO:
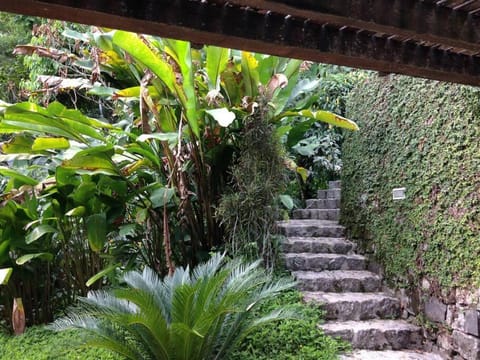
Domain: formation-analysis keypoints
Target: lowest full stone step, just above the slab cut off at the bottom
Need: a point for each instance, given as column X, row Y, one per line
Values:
column 376, row 334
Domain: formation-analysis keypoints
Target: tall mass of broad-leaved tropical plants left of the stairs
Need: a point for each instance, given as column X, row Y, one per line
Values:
column 140, row 185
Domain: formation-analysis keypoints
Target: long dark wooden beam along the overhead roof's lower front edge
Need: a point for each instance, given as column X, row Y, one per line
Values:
column 262, row 31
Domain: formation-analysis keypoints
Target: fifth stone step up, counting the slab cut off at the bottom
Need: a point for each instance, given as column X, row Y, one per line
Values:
column 320, row 262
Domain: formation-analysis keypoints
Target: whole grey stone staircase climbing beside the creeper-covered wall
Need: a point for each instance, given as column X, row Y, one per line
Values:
column 330, row 273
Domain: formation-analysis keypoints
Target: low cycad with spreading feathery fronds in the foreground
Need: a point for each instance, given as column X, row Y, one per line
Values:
column 194, row 315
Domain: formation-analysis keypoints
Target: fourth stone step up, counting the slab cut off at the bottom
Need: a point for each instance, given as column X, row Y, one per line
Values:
column 338, row 281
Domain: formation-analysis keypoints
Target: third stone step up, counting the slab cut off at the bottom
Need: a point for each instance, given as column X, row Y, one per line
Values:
column 355, row 306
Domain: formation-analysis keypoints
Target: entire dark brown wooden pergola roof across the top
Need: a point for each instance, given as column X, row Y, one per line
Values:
column 436, row 39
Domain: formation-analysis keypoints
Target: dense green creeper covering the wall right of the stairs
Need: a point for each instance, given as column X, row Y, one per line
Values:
column 423, row 135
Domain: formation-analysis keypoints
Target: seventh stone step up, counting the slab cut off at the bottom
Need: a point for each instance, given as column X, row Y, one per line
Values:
column 311, row 228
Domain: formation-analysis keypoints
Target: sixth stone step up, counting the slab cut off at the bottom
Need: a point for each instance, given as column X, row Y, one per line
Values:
column 317, row 245
